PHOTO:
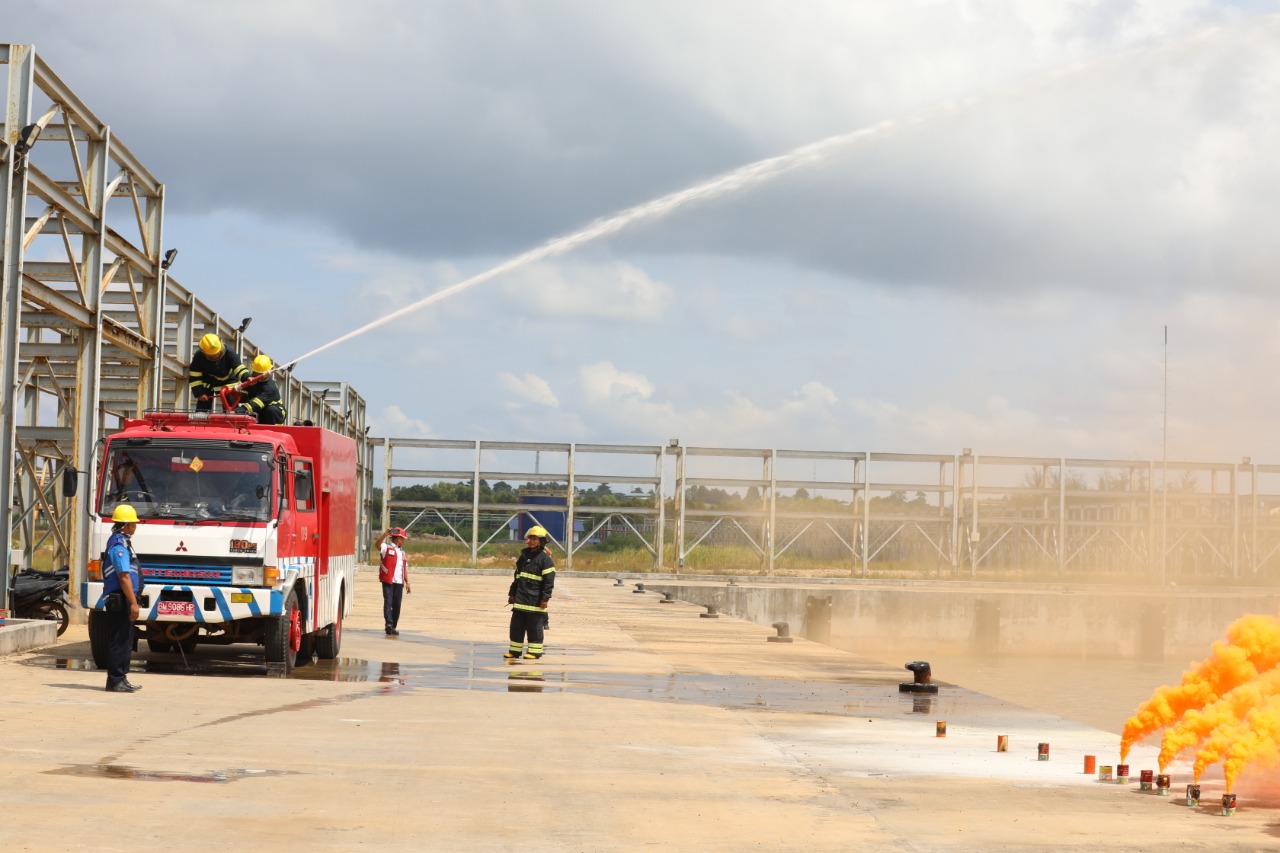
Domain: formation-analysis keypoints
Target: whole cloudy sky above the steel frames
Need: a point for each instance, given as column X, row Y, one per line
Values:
column 1041, row 188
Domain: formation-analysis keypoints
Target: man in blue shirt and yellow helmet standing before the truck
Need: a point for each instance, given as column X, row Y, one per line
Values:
column 122, row 576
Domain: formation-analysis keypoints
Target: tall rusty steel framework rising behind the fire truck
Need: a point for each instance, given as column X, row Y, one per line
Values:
column 95, row 330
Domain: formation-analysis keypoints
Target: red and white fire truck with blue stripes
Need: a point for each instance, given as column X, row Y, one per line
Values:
column 246, row 533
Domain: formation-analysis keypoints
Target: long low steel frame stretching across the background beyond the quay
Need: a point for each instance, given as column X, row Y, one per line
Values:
column 1050, row 517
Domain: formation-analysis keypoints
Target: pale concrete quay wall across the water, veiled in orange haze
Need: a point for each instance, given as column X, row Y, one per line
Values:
column 977, row 619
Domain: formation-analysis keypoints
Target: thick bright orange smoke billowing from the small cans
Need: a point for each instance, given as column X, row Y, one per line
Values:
column 1252, row 646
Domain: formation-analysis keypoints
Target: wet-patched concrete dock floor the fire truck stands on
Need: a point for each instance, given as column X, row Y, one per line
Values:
column 644, row 727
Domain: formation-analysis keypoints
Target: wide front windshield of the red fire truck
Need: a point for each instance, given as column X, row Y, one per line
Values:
column 191, row 482
